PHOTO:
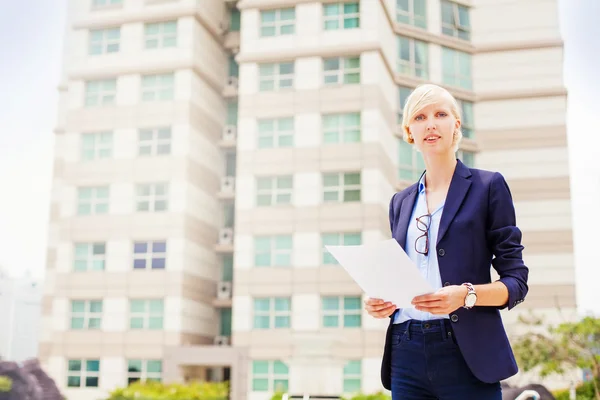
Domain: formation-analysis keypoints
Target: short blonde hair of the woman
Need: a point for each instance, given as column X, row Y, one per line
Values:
column 423, row 96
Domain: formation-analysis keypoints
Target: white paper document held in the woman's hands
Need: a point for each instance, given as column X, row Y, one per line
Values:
column 383, row 270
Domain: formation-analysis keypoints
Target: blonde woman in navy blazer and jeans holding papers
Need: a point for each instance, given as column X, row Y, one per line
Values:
column 453, row 223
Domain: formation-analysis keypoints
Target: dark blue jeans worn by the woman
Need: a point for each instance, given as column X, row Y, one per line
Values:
column 428, row 365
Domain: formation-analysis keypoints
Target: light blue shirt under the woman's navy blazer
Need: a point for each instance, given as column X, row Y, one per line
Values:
column 427, row 264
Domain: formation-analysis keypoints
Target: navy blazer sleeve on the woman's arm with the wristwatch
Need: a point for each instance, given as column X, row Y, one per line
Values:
column 504, row 239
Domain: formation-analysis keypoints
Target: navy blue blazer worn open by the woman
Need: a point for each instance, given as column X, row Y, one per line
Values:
column 477, row 230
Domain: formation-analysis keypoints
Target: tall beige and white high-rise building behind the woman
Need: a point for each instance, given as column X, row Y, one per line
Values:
column 207, row 150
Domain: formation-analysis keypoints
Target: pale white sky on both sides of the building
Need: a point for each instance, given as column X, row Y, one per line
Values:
column 31, row 37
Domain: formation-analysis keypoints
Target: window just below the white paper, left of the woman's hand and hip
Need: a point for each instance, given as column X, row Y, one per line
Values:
column 341, row 311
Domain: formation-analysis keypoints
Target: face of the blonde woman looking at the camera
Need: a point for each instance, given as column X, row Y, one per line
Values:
column 432, row 128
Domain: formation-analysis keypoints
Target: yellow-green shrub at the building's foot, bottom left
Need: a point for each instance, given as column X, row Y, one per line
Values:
column 173, row 391
